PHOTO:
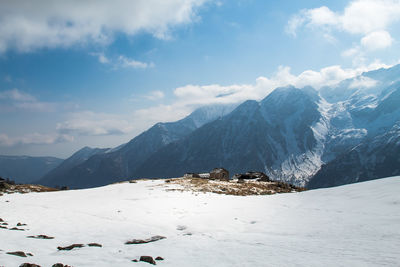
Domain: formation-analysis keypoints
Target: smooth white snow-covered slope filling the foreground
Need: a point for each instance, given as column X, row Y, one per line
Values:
column 352, row 225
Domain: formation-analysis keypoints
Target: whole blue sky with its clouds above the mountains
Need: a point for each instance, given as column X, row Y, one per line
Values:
column 97, row 73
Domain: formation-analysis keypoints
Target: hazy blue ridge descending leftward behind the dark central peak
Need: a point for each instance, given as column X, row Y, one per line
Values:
column 117, row 164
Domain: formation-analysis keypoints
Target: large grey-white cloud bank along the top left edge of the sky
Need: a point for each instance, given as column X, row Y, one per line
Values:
column 27, row 25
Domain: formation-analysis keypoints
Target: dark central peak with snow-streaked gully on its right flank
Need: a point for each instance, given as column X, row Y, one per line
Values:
column 255, row 136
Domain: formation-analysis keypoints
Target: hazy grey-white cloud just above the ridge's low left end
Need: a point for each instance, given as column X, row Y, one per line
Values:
column 90, row 123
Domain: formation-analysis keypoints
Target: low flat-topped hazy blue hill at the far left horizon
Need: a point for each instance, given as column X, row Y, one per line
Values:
column 25, row 169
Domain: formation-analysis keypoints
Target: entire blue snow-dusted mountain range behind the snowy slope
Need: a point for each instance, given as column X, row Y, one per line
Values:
column 340, row 134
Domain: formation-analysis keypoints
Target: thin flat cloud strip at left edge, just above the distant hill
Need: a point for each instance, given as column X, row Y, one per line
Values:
column 34, row 139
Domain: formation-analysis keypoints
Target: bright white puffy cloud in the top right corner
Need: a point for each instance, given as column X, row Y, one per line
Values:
column 368, row 18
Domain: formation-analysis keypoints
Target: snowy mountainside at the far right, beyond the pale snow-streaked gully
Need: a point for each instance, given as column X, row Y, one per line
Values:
column 369, row 147
